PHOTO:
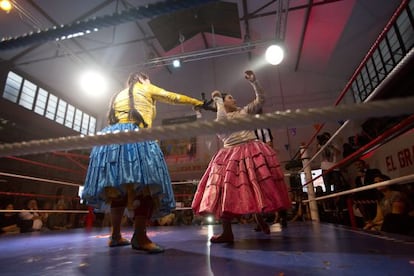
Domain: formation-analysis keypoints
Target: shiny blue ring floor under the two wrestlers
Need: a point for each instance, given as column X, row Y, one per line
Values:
column 304, row 248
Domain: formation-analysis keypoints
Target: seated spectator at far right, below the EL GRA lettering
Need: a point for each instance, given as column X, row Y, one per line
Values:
column 392, row 202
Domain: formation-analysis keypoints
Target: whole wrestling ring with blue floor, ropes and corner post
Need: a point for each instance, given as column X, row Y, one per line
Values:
column 303, row 248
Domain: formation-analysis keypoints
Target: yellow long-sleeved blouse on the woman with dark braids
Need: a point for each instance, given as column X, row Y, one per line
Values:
column 145, row 98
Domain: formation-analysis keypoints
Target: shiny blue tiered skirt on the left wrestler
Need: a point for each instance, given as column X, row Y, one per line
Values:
column 118, row 170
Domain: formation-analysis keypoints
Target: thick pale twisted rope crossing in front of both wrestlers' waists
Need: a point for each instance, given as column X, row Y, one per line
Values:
column 276, row 119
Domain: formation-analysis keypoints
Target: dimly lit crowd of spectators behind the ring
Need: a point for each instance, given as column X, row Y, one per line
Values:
column 386, row 209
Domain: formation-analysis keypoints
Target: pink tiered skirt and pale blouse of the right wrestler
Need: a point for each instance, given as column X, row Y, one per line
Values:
column 244, row 177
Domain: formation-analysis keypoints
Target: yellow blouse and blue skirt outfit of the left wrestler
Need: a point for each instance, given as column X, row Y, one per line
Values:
column 136, row 168
